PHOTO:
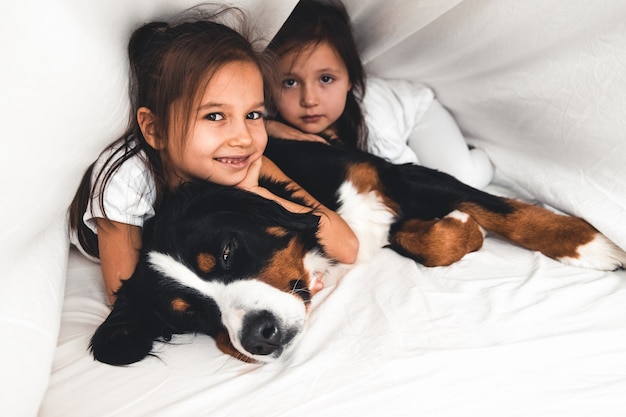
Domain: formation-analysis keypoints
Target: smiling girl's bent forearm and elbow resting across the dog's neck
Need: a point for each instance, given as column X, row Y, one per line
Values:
column 337, row 238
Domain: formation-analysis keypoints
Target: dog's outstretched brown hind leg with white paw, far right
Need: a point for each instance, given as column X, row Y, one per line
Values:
column 568, row 239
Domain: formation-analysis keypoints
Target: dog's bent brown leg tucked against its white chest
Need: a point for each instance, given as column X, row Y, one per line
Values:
column 438, row 242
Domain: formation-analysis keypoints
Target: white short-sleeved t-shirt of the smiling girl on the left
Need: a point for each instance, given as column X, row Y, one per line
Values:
column 129, row 195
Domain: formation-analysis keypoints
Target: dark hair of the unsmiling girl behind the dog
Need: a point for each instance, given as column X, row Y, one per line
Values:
column 326, row 21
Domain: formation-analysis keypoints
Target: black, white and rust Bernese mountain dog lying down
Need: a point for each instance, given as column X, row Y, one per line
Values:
column 230, row 264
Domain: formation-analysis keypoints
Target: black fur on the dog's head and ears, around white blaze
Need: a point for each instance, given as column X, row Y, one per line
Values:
column 201, row 218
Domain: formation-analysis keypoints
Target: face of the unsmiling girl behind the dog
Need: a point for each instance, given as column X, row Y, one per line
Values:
column 314, row 87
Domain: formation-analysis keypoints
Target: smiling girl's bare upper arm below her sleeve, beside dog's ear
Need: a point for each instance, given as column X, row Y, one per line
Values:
column 119, row 245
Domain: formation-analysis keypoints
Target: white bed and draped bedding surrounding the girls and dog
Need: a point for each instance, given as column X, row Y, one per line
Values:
column 504, row 332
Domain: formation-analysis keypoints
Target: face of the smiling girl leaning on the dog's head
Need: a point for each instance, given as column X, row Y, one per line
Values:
column 227, row 132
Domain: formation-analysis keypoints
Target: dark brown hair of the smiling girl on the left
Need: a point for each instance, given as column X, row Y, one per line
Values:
column 170, row 66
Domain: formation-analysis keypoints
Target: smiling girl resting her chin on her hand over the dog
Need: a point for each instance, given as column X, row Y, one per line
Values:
column 197, row 101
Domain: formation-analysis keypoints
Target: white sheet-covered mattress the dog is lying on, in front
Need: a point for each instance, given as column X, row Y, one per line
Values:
column 504, row 332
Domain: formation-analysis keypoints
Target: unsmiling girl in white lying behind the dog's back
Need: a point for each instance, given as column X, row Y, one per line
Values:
column 322, row 92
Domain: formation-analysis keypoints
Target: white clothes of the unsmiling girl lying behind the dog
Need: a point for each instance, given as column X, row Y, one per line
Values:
column 407, row 124
